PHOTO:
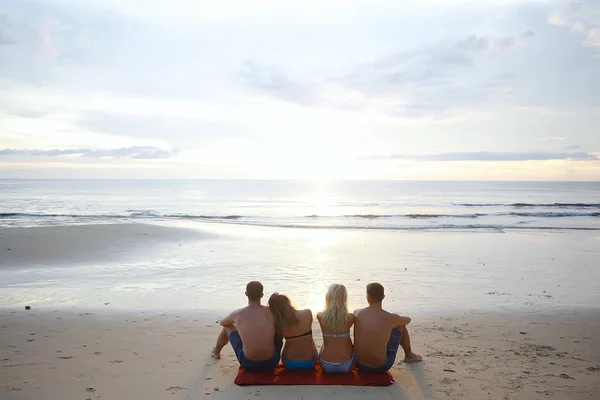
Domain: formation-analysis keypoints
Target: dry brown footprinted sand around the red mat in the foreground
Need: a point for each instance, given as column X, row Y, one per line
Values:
column 46, row 354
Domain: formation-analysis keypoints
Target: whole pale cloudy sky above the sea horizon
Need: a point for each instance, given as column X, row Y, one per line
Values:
column 286, row 89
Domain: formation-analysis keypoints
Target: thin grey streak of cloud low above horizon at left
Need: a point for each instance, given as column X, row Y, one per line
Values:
column 135, row 152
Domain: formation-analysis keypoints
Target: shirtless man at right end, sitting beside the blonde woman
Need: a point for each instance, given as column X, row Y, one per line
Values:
column 378, row 334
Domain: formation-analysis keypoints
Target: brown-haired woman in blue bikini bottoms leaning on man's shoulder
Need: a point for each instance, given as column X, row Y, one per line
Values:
column 299, row 351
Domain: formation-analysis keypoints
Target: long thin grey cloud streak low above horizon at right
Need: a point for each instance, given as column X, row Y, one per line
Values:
column 488, row 156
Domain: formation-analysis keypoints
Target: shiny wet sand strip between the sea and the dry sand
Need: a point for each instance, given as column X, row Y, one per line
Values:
column 187, row 266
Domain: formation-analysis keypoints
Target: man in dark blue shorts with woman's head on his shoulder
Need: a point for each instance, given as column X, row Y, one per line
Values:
column 251, row 332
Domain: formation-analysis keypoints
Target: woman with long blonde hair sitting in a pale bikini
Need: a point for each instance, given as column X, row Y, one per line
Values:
column 337, row 354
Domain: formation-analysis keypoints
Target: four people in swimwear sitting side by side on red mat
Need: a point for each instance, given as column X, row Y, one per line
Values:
column 256, row 333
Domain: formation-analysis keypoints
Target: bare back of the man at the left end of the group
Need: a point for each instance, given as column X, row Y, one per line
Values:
column 257, row 329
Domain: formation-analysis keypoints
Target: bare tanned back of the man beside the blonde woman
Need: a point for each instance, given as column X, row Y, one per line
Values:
column 372, row 330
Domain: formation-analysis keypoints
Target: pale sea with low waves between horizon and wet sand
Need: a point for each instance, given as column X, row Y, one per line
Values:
column 326, row 205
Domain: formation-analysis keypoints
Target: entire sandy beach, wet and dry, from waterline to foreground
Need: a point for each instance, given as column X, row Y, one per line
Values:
column 129, row 311
